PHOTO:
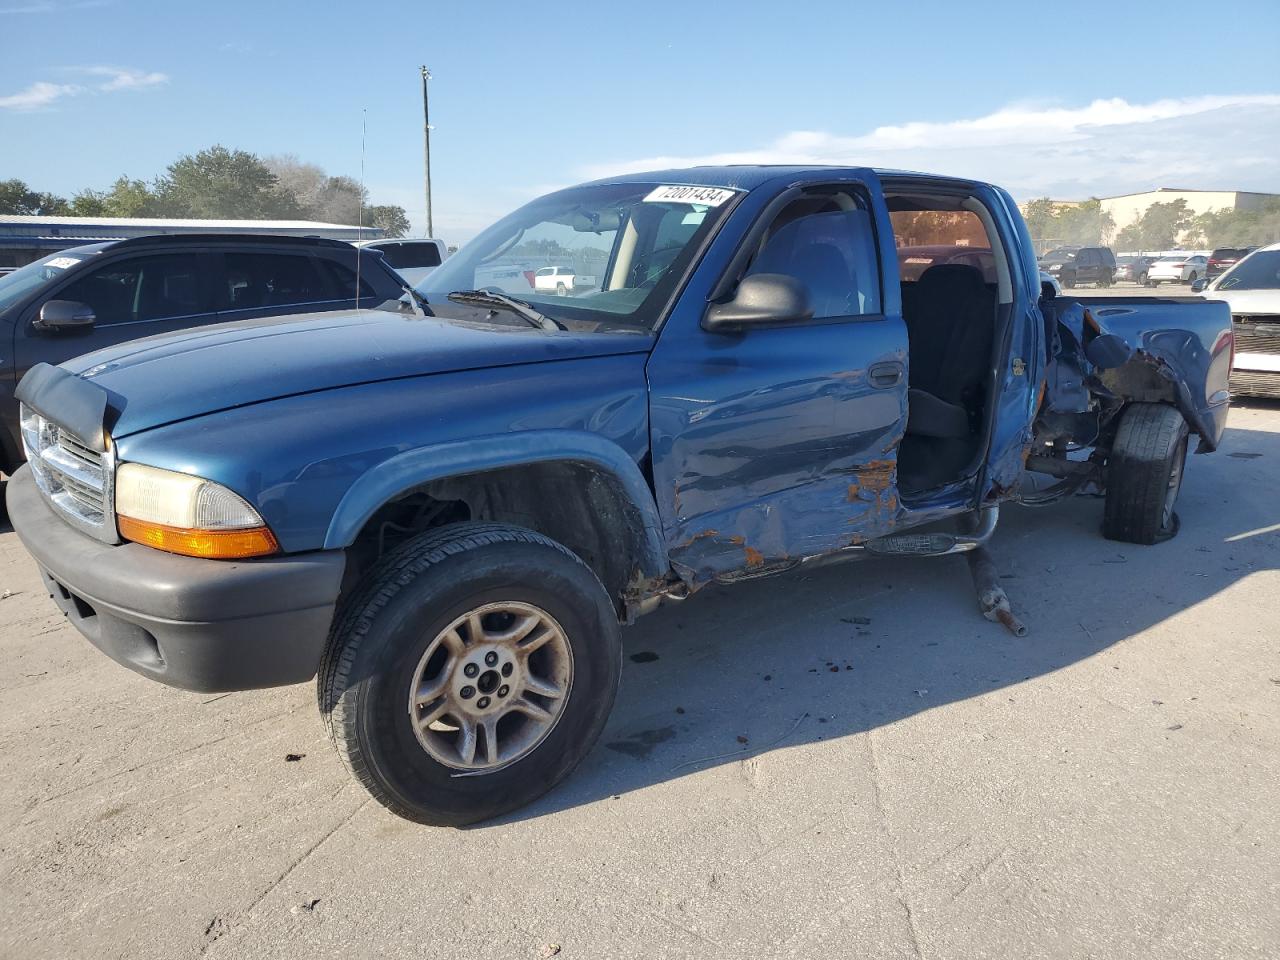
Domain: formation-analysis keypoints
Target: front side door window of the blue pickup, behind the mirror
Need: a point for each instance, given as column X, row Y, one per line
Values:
column 828, row 243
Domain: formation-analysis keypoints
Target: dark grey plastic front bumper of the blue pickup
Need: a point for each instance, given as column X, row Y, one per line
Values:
column 194, row 624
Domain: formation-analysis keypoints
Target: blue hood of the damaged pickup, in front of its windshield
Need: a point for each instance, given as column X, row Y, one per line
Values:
column 176, row 377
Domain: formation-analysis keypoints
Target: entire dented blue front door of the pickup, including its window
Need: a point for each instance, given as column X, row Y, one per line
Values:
column 780, row 441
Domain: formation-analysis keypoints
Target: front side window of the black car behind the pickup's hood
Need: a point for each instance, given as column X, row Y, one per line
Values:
column 143, row 289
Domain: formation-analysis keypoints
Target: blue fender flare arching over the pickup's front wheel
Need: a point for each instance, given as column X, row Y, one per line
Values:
column 405, row 472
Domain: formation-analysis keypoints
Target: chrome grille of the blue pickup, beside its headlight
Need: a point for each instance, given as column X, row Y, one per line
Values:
column 74, row 478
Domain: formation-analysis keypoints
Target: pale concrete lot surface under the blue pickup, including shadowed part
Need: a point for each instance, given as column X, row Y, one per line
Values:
column 915, row 781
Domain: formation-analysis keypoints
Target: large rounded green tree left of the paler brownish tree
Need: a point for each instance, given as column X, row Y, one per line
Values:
column 221, row 184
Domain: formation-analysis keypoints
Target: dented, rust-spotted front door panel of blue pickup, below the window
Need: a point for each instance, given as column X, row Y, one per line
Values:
column 781, row 454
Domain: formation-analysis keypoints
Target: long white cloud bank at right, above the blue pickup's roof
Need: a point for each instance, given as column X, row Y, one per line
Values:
column 1109, row 147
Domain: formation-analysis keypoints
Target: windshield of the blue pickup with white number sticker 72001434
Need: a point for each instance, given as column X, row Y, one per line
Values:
column 620, row 249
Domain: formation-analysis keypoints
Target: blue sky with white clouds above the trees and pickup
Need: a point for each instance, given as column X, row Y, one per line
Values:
column 1068, row 99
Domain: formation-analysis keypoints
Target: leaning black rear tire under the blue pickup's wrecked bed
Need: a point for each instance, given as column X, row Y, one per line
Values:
column 1145, row 474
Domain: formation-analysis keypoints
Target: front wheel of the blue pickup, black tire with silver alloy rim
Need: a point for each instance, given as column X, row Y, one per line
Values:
column 406, row 688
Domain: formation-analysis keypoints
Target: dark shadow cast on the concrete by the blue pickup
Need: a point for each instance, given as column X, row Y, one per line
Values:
column 810, row 656
